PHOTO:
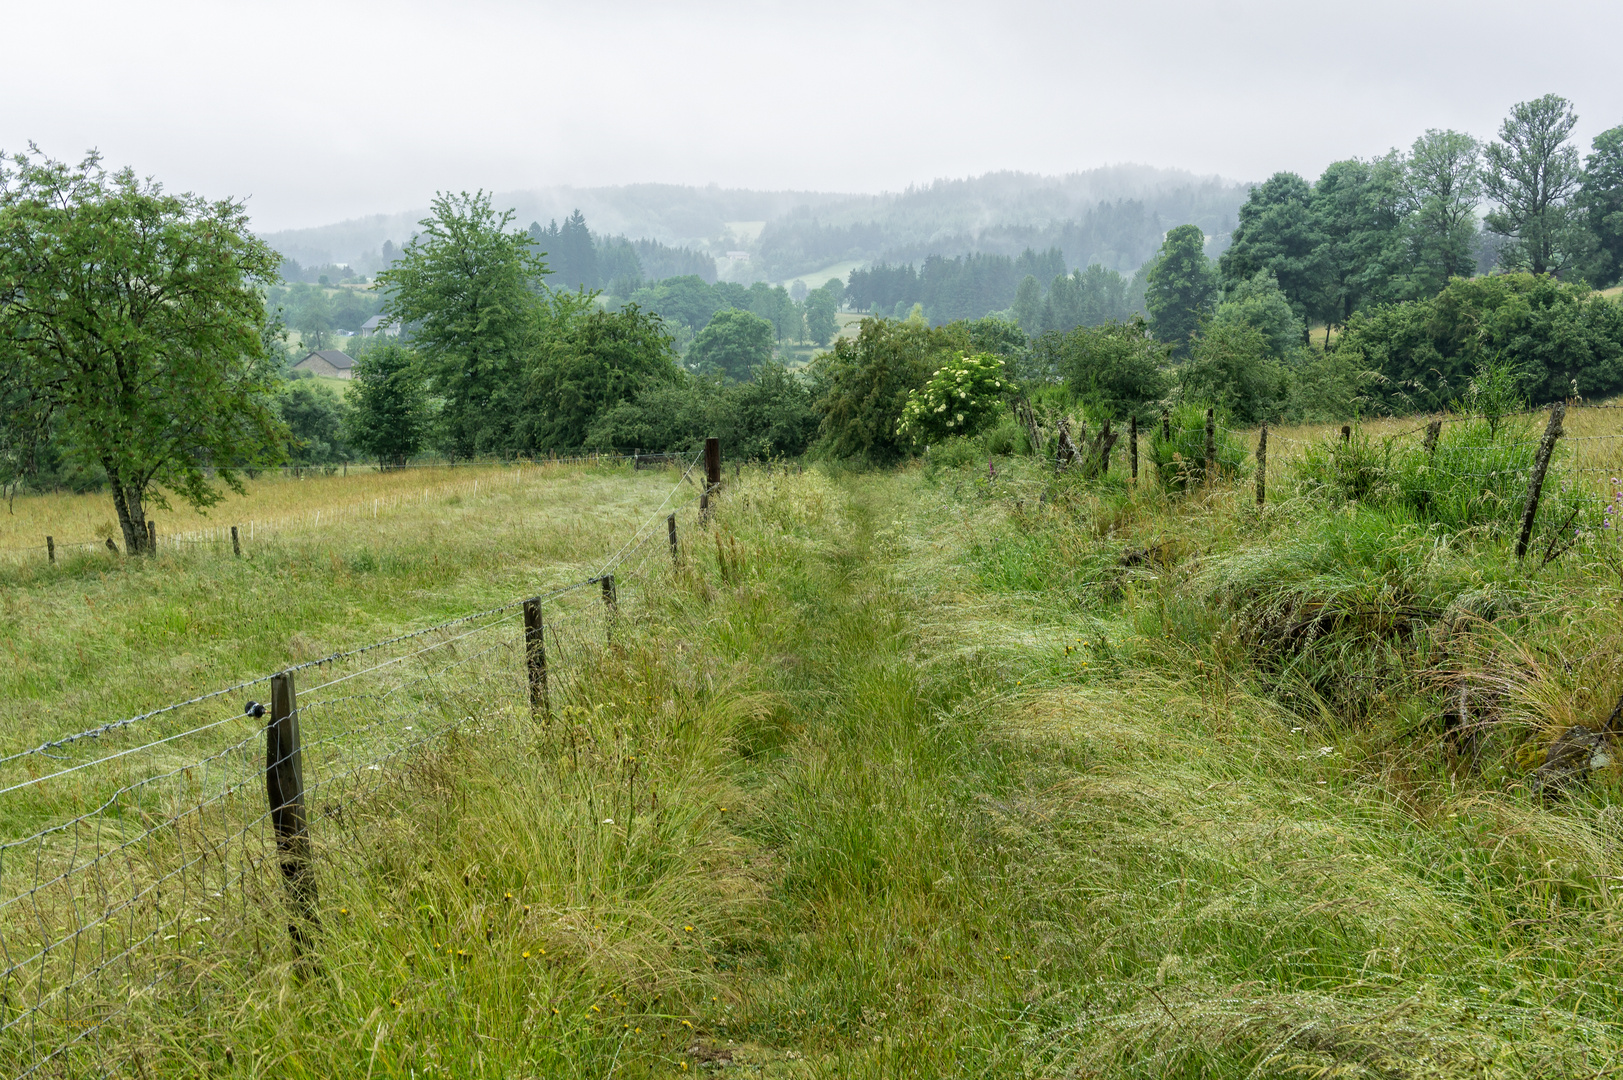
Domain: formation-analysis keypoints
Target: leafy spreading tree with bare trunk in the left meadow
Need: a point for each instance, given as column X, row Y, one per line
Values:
column 134, row 322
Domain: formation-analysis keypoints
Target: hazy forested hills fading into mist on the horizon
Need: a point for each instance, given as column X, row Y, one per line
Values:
column 1114, row 215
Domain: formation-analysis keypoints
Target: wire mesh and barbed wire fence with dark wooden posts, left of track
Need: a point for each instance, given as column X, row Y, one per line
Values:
column 144, row 855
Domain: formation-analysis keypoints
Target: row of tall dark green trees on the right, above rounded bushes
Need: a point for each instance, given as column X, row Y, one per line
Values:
column 1398, row 228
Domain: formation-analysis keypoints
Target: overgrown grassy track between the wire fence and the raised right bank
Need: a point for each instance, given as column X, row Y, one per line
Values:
column 884, row 784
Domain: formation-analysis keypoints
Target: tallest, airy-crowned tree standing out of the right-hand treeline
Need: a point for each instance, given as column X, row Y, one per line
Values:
column 1533, row 175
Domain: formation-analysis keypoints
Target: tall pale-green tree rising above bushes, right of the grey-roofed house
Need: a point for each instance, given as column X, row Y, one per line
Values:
column 471, row 293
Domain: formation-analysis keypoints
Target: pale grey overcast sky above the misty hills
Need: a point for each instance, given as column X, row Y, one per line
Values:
column 324, row 111
